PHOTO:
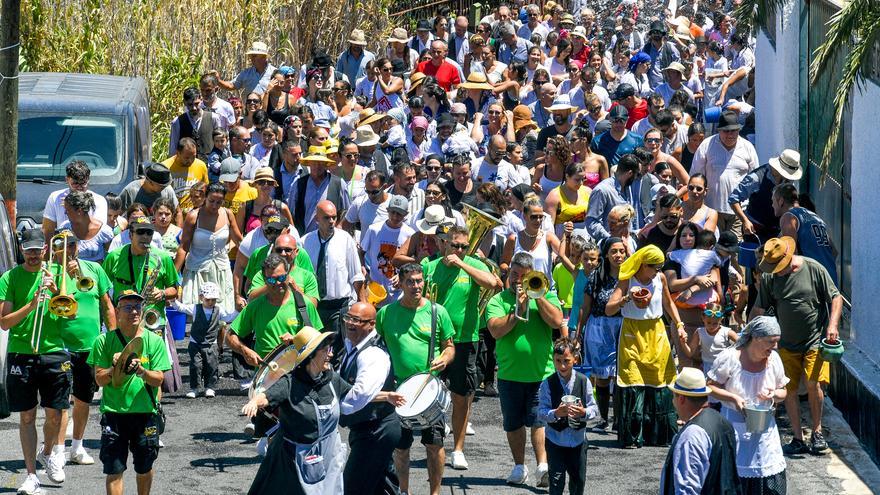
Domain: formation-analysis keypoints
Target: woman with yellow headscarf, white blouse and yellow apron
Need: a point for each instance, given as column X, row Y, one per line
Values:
column 645, row 367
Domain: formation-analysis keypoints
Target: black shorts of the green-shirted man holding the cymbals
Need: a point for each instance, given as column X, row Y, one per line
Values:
column 121, row 433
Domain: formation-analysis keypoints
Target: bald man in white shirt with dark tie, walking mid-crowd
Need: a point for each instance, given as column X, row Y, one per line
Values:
column 338, row 269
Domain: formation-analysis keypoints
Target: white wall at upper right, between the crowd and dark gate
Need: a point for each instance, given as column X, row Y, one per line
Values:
column 776, row 99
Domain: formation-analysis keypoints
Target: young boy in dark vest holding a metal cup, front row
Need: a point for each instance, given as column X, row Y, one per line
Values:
column 566, row 433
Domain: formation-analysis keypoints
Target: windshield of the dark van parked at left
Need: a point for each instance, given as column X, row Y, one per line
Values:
column 47, row 143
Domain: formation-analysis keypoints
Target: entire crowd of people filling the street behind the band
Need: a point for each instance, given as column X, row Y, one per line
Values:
column 561, row 206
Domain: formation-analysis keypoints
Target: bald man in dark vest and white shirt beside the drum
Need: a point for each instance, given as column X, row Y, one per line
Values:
column 374, row 427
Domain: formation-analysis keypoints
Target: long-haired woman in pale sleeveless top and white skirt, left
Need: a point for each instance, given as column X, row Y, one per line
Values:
column 203, row 252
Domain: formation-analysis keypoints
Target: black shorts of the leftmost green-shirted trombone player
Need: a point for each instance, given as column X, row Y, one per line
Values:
column 46, row 375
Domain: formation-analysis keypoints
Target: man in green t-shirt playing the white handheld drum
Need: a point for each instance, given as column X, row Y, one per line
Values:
column 406, row 327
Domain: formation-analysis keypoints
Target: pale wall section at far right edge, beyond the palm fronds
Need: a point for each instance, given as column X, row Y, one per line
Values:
column 865, row 207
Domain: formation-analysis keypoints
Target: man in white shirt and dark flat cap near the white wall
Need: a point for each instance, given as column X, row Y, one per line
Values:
column 725, row 159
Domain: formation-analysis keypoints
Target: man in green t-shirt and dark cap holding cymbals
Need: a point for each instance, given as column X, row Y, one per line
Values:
column 129, row 418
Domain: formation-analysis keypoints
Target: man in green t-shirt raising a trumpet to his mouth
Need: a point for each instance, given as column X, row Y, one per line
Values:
column 525, row 358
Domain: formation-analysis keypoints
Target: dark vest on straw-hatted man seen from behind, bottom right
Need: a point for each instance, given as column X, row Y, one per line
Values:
column 722, row 478
